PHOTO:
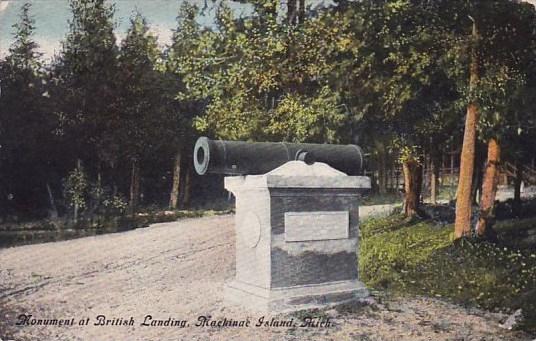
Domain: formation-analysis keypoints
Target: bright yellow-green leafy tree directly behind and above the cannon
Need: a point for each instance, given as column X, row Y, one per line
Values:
column 270, row 81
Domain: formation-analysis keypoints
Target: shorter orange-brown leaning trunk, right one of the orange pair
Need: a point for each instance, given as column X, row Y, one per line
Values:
column 489, row 187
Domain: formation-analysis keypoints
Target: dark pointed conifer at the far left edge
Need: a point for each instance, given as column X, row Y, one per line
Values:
column 26, row 141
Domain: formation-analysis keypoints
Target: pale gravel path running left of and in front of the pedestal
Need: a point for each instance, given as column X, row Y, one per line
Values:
column 177, row 270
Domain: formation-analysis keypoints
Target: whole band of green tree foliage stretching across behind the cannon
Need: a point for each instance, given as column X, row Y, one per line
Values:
column 391, row 76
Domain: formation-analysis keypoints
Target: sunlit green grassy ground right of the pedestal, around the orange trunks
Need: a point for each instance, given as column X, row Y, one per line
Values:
column 418, row 257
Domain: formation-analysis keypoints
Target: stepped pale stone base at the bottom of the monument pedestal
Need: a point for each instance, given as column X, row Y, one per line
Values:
column 283, row 300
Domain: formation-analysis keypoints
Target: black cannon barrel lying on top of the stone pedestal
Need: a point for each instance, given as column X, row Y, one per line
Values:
column 250, row 158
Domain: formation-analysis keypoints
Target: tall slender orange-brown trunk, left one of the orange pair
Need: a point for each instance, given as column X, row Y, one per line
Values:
column 462, row 224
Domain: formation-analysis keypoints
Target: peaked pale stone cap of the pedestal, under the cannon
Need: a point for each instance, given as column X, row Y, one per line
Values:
column 297, row 174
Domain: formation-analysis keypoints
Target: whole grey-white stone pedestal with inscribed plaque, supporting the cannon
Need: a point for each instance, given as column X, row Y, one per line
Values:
column 296, row 238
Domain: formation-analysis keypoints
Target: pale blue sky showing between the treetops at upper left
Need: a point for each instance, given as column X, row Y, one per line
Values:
column 51, row 19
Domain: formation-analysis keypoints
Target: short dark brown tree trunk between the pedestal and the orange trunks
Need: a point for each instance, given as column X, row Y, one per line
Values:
column 412, row 187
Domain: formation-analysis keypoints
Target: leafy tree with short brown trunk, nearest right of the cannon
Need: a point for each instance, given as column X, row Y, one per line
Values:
column 397, row 81
